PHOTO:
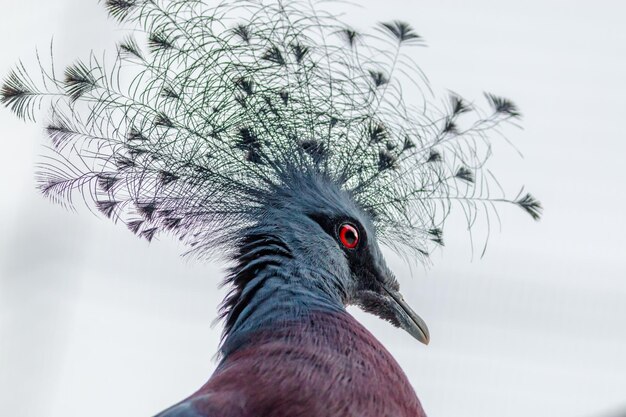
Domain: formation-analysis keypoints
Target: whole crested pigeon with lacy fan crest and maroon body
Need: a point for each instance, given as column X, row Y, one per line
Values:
column 276, row 137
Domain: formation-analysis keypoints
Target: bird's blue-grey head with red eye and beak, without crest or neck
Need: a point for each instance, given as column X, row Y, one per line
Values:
column 327, row 231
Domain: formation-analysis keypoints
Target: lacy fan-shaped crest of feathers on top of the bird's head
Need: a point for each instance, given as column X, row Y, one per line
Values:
column 216, row 105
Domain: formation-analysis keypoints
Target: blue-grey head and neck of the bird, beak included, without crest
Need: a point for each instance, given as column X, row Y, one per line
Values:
column 296, row 242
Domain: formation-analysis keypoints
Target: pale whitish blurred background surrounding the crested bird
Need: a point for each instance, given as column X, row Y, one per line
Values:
column 94, row 321
